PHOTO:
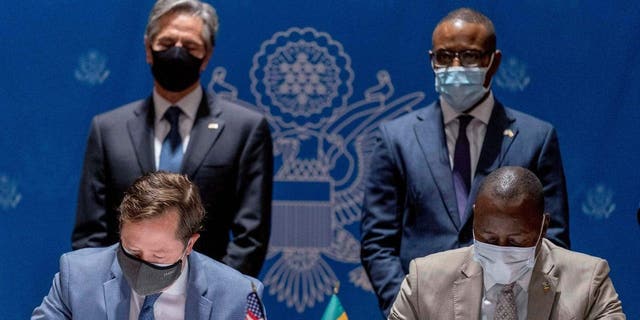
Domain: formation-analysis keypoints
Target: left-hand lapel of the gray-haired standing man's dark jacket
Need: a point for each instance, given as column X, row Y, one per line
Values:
column 141, row 133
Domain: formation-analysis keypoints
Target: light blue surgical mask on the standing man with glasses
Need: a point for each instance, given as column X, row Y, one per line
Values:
column 461, row 87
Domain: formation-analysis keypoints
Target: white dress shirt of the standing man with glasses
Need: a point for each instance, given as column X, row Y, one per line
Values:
column 476, row 130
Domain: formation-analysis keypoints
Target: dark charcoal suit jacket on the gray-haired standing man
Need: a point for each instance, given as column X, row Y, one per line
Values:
column 229, row 157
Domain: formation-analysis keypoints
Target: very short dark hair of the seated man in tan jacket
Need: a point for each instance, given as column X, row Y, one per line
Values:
column 512, row 183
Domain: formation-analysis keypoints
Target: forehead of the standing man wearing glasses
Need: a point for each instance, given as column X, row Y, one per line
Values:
column 459, row 35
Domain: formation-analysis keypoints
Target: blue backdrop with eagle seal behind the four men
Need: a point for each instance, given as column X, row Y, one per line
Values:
column 325, row 73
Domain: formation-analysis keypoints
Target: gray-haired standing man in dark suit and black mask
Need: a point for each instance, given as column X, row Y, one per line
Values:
column 224, row 148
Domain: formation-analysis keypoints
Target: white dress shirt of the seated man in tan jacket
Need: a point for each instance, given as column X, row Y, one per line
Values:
column 490, row 296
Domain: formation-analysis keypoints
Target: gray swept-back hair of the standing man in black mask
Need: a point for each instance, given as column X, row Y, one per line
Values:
column 195, row 8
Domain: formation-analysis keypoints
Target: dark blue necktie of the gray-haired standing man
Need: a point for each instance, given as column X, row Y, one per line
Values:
column 171, row 152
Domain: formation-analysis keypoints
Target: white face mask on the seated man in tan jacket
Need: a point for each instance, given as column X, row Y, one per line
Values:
column 505, row 264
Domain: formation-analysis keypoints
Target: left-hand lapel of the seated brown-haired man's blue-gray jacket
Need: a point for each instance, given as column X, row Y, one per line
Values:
column 117, row 294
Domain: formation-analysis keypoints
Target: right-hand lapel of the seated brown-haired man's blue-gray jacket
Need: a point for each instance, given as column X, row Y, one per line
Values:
column 197, row 305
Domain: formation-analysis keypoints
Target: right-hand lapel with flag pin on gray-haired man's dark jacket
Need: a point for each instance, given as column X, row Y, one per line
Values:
column 206, row 129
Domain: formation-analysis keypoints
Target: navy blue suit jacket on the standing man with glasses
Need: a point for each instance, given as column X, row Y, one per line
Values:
column 410, row 207
